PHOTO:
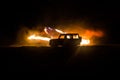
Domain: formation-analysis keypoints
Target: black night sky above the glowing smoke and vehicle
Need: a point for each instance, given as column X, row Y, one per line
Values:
column 54, row 12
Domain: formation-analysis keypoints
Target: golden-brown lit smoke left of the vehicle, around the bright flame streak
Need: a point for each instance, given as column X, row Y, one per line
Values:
column 24, row 32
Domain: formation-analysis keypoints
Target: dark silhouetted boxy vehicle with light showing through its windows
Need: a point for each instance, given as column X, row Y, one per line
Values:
column 68, row 39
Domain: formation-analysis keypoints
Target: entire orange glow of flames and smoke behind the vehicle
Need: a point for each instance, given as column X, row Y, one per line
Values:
column 40, row 35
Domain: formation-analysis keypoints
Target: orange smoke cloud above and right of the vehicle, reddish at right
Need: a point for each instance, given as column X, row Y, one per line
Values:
column 86, row 31
